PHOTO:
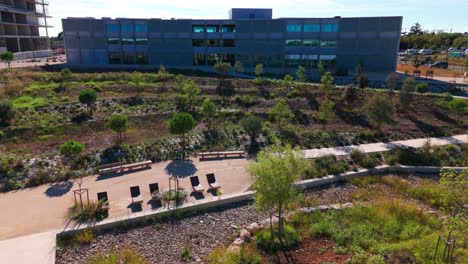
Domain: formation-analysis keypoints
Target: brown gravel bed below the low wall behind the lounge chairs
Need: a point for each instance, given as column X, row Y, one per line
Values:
column 163, row 242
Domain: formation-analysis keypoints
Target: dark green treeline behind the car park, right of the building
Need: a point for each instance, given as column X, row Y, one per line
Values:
column 416, row 38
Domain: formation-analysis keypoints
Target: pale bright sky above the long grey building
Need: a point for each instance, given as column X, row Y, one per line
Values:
column 444, row 15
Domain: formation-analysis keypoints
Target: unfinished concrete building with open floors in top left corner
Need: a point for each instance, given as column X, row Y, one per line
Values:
column 24, row 25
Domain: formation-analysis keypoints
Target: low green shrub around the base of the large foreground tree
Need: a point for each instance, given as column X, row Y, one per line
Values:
column 269, row 244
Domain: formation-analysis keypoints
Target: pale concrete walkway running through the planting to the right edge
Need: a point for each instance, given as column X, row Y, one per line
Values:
column 382, row 147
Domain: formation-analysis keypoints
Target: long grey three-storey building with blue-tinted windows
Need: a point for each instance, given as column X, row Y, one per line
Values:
column 250, row 36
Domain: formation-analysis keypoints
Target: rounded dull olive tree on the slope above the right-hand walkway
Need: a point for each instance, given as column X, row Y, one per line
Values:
column 380, row 110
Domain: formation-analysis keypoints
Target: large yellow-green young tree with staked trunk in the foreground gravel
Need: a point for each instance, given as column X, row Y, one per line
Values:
column 275, row 175
